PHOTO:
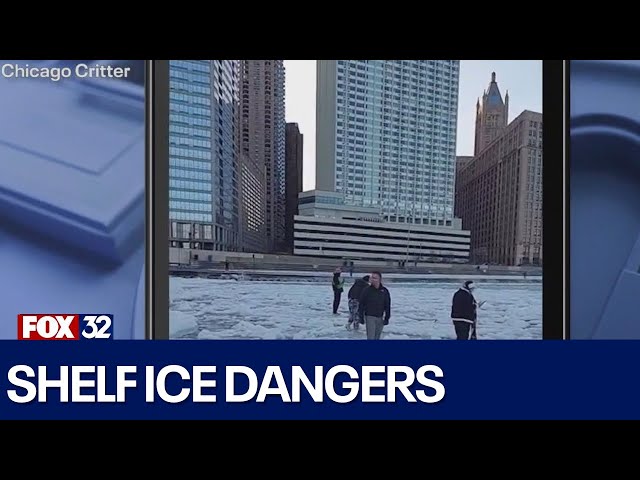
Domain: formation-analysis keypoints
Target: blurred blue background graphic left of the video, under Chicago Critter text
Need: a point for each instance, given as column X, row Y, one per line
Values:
column 72, row 196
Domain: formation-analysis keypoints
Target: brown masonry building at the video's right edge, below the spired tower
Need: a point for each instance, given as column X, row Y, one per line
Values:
column 499, row 195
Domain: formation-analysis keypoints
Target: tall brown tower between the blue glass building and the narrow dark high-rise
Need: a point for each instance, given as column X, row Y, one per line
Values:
column 262, row 137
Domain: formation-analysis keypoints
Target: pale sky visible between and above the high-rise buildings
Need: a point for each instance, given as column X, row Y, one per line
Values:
column 522, row 78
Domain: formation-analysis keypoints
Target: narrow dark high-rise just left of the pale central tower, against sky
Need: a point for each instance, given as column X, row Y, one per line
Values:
column 294, row 156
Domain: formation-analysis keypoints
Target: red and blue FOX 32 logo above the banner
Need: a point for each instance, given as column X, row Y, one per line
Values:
column 55, row 326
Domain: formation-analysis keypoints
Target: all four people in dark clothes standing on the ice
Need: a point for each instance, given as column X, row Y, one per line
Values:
column 370, row 305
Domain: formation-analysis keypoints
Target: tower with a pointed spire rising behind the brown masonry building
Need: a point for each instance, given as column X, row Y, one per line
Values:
column 492, row 116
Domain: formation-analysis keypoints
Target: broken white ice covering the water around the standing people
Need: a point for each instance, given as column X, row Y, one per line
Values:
column 292, row 310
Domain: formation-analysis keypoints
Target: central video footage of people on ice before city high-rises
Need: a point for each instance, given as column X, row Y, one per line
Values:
column 355, row 199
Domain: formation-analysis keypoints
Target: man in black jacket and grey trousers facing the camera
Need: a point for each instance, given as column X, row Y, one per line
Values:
column 375, row 307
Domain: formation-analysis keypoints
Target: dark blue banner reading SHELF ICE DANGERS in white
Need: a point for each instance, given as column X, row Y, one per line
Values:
column 320, row 380
